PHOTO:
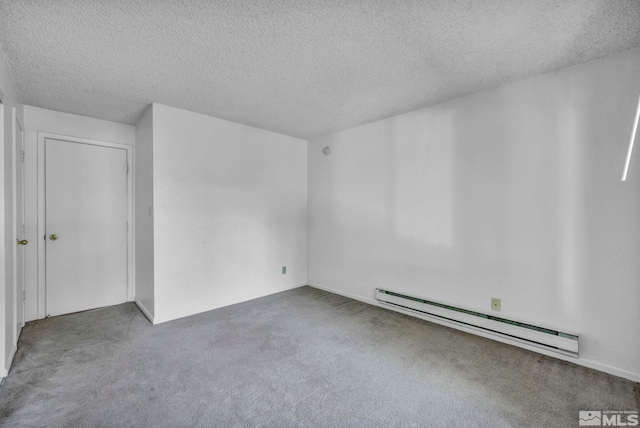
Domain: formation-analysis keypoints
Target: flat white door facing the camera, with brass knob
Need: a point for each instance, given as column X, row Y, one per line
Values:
column 86, row 226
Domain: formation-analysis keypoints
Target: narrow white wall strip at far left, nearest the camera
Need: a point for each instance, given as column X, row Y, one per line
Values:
column 12, row 108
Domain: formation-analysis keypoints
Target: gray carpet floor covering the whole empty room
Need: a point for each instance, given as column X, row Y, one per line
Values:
column 301, row 358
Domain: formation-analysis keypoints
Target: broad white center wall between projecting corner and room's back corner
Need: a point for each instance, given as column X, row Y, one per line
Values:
column 230, row 210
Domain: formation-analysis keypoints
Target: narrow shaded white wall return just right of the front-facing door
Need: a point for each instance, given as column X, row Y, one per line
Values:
column 143, row 213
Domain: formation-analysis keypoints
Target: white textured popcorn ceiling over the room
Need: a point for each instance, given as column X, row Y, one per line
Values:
column 302, row 67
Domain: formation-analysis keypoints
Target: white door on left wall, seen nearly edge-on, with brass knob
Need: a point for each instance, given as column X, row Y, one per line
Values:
column 20, row 228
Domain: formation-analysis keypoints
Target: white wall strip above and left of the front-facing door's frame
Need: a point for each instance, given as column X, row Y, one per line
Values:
column 38, row 120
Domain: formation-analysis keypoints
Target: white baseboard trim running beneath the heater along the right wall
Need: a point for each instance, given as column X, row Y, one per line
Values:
column 579, row 361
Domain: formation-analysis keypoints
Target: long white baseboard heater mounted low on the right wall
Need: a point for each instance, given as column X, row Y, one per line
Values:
column 564, row 343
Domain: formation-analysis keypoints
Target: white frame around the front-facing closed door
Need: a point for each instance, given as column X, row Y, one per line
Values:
column 42, row 136
